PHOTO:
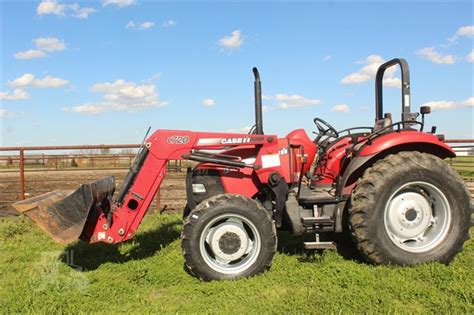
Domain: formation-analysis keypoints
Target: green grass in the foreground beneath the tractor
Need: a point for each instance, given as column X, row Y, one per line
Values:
column 147, row 275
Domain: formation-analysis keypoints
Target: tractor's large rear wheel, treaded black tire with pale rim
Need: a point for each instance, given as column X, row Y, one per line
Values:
column 410, row 208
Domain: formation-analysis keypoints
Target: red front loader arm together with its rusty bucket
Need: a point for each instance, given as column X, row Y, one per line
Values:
column 93, row 215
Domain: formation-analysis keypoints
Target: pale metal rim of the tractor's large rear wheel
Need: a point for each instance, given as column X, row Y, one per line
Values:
column 417, row 217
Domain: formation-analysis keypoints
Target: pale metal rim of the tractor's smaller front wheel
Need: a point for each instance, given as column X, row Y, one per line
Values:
column 230, row 243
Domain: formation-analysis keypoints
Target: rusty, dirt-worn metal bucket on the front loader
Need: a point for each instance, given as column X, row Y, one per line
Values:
column 64, row 213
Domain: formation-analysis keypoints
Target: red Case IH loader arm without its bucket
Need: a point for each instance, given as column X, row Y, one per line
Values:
column 138, row 190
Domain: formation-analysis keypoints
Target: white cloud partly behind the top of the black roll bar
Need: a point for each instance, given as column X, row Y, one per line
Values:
column 368, row 71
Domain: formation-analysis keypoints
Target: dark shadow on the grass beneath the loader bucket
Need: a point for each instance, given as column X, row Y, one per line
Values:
column 146, row 244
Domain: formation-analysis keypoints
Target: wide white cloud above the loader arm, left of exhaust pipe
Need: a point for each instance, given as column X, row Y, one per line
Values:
column 119, row 96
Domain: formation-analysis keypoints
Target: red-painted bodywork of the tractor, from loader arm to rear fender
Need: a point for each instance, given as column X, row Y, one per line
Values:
column 288, row 156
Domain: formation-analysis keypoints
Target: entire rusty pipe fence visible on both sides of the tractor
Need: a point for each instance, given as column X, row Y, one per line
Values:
column 103, row 158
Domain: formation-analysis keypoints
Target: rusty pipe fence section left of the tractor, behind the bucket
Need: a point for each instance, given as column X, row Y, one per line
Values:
column 29, row 171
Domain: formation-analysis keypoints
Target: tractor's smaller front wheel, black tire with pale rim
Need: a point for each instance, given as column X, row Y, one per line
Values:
column 228, row 237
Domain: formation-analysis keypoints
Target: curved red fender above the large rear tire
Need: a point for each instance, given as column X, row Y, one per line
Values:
column 365, row 154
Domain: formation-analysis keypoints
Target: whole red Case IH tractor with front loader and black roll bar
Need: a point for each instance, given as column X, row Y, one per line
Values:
column 387, row 185
